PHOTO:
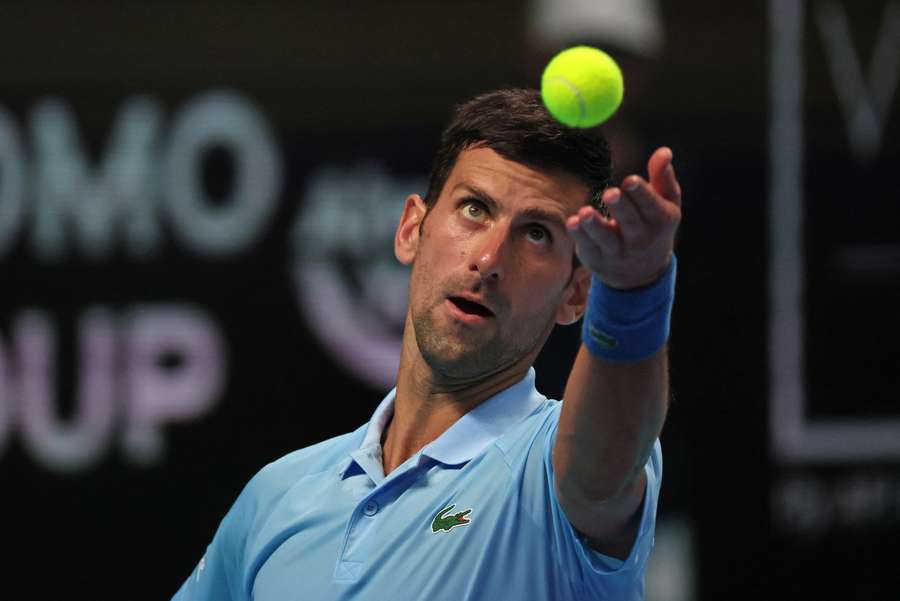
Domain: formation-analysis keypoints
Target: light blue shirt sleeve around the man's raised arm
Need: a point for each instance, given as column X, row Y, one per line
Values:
column 595, row 575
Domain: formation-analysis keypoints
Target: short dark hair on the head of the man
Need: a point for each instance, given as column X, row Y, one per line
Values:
column 516, row 125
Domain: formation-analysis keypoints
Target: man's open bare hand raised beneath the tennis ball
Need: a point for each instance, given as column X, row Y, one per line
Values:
column 633, row 247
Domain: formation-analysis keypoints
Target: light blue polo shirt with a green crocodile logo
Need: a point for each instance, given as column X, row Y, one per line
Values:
column 471, row 516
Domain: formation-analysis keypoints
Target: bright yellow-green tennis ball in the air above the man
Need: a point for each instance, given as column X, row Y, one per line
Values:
column 582, row 86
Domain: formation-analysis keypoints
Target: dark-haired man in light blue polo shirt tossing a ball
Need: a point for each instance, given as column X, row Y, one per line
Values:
column 467, row 483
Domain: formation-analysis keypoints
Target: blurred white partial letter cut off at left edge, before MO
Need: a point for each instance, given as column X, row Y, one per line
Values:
column 12, row 181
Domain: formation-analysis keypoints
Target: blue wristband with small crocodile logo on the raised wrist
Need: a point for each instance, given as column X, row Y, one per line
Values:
column 629, row 325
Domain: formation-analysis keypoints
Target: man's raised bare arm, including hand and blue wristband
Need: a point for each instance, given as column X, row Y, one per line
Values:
column 617, row 393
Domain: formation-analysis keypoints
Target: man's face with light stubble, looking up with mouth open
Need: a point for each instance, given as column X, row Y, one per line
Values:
column 492, row 264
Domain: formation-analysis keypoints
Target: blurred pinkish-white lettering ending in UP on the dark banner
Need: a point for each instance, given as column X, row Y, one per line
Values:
column 123, row 377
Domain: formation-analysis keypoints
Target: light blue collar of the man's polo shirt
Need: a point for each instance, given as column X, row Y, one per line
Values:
column 471, row 433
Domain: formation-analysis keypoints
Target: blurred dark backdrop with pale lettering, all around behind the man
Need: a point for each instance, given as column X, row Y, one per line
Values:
column 197, row 208
